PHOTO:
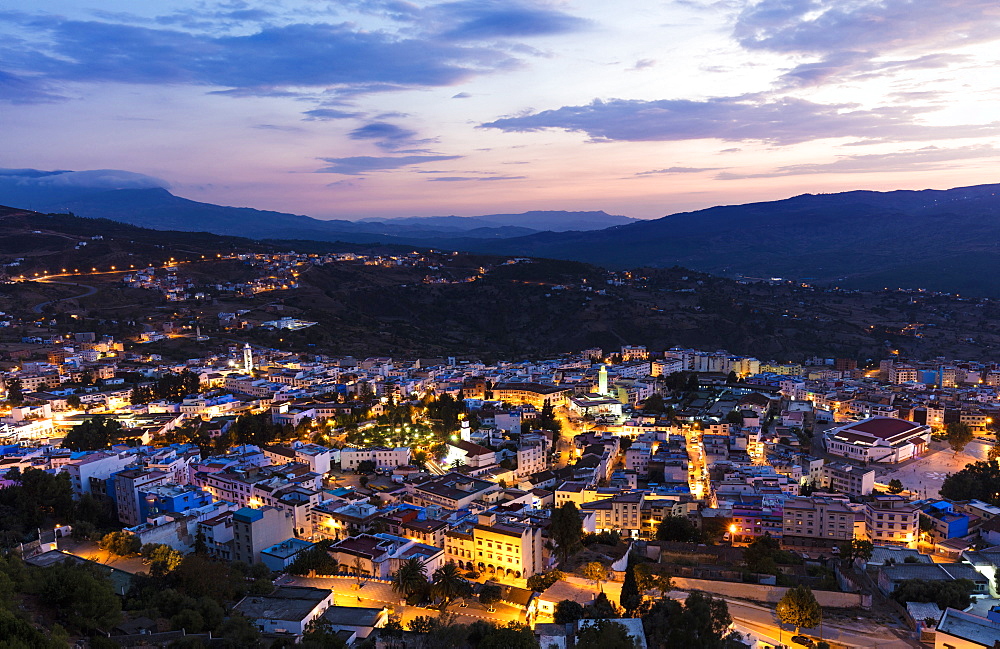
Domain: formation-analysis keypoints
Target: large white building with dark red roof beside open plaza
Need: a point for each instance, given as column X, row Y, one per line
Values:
column 882, row 440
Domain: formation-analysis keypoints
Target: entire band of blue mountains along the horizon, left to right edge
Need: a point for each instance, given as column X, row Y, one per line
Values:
column 941, row 240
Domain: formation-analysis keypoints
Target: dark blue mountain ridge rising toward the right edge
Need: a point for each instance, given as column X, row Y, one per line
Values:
column 946, row 240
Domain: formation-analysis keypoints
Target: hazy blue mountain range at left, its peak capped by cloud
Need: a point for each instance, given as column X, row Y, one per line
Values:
column 146, row 201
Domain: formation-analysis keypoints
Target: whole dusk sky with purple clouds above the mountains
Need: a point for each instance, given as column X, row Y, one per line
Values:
column 377, row 108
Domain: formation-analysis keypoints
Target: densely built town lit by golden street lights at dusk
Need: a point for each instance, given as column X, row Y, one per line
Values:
column 386, row 500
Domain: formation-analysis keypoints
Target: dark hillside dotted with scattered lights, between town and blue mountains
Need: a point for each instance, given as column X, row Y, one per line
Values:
column 459, row 304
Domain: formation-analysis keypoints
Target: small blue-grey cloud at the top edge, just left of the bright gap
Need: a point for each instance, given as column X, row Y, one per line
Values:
column 485, row 19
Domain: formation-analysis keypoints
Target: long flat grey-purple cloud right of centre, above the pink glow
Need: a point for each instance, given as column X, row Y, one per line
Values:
column 780, row 121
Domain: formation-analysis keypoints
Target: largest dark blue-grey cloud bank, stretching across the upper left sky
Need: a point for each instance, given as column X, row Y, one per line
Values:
column 274, row 59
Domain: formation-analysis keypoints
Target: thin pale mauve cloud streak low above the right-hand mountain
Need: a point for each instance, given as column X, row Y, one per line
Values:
column 923, row 159
